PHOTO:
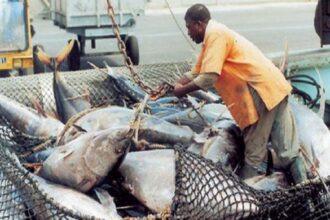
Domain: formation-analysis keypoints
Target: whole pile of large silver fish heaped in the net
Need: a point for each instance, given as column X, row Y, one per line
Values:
column 96, row 152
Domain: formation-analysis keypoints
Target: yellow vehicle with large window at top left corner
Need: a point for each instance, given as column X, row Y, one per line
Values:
column 16, row 51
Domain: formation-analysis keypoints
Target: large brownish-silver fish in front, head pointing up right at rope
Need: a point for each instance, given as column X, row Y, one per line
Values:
column 87, row 159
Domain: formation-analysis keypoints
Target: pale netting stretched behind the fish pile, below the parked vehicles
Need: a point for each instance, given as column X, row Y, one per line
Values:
column 99, row 85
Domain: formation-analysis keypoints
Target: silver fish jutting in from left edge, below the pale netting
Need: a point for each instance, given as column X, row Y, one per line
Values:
column 27, row 120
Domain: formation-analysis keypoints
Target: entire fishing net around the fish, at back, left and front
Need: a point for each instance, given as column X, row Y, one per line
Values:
column 203, row 190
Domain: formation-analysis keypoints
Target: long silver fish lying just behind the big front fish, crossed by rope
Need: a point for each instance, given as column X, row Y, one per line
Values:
column 151, row 128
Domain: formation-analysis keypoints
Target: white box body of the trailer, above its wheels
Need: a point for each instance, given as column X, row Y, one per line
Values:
column 93, row 13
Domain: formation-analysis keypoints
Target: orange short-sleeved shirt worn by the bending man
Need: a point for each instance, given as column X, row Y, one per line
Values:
column 240, row 63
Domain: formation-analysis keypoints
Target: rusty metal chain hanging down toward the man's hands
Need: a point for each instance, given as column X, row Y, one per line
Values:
column 163, row 89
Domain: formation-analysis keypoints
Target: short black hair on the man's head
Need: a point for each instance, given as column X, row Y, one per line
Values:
column 198, row 12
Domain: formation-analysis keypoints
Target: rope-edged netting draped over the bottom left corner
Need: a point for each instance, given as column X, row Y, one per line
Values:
column 21, row 196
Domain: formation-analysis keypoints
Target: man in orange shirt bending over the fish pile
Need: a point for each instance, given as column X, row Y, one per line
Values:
column 253, row 89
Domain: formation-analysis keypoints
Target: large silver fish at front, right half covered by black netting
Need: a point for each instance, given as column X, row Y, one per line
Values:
column 150, row 177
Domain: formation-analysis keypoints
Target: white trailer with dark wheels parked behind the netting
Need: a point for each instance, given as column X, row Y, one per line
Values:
column 89, row 20
